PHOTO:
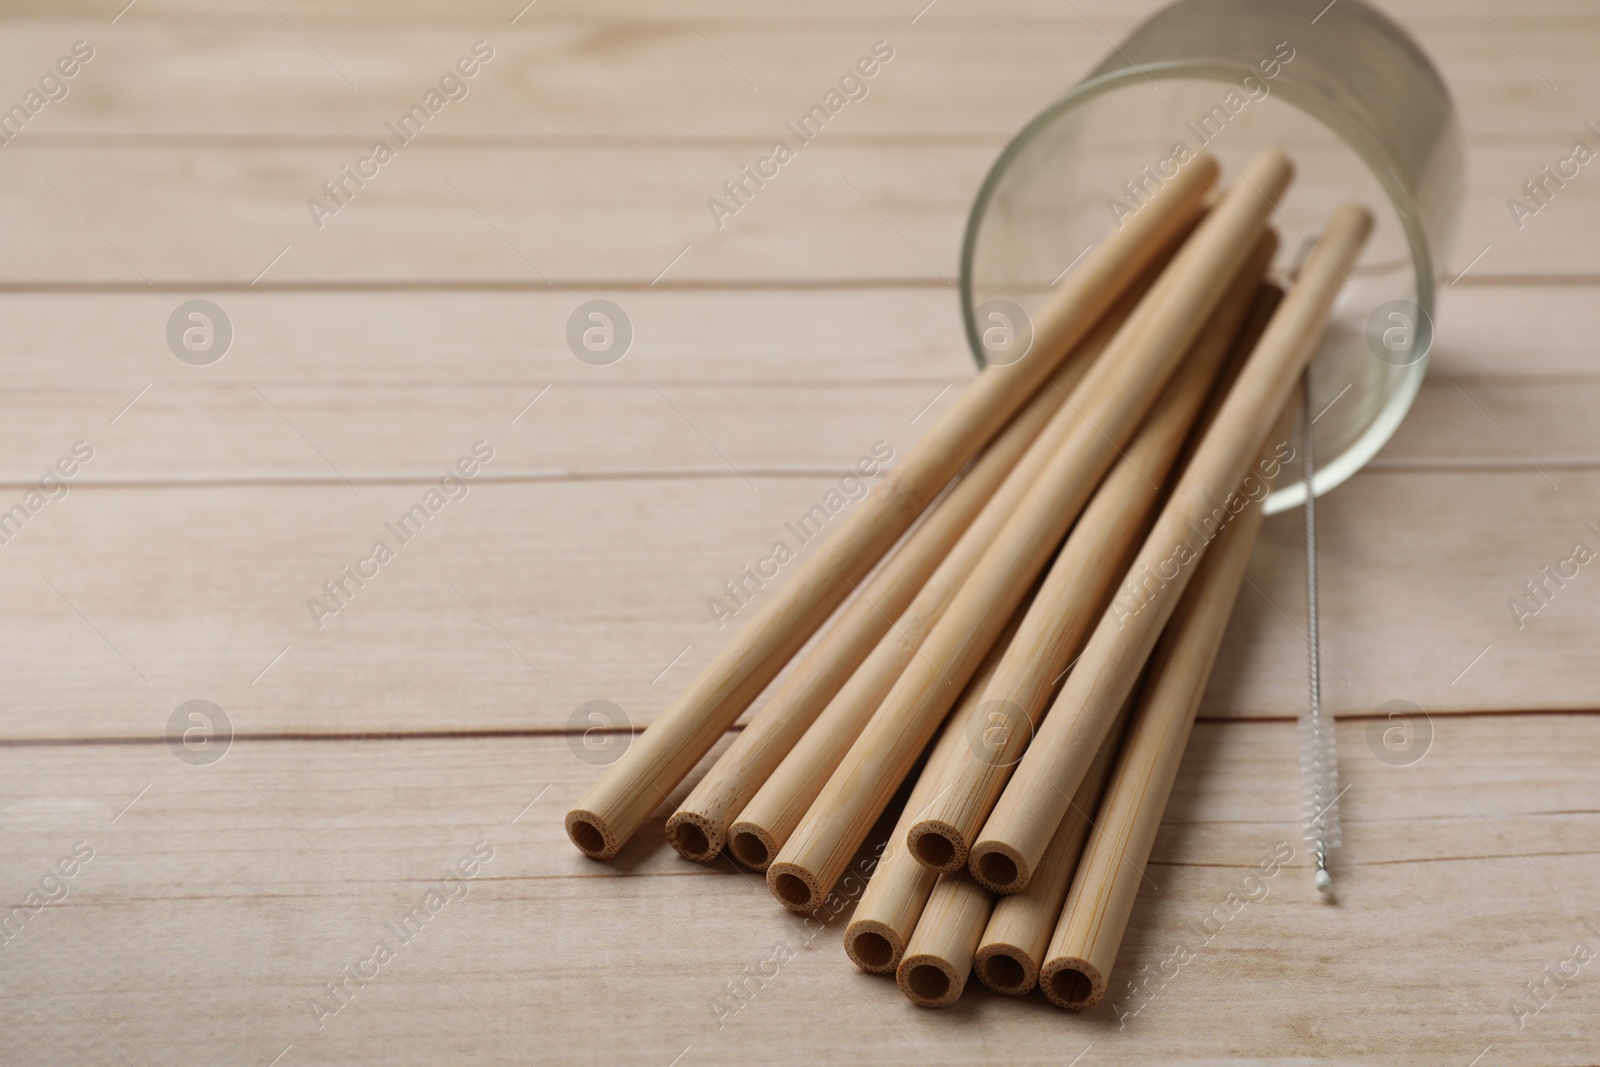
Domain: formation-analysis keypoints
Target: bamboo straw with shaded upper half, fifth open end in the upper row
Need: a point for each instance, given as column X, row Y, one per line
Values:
column 1078, row 589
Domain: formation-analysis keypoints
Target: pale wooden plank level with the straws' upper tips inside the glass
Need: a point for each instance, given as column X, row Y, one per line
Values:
column 196, row 218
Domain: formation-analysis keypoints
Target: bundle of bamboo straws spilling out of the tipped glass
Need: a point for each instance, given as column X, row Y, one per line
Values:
column 1105, row 505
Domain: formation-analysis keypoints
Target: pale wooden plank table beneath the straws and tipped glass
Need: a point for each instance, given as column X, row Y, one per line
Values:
column 226, row 911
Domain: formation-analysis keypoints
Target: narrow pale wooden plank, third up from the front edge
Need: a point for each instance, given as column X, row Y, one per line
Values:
column 255, row 433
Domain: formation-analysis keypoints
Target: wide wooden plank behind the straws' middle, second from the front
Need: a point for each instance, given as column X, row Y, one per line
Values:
column 604, row 588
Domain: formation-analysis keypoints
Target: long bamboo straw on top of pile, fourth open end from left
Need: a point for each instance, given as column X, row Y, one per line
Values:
column 1110, row 402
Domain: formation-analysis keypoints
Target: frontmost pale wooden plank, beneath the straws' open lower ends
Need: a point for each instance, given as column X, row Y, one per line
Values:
column 297, row 857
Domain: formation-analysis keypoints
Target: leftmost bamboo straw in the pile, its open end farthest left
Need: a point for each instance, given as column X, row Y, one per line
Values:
column 633, row 788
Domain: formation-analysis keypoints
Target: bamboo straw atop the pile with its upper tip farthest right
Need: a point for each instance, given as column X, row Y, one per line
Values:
column 1015, row 837
